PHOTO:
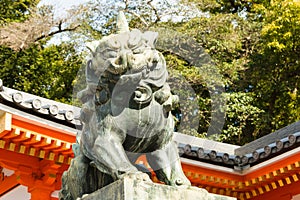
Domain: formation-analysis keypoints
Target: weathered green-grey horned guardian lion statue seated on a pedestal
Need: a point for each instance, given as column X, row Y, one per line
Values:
column 126, row 112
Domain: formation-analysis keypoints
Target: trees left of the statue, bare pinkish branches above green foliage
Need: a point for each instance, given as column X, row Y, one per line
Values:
column 27, row 62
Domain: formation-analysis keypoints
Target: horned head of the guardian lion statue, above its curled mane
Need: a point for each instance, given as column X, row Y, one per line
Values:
column 127, row 50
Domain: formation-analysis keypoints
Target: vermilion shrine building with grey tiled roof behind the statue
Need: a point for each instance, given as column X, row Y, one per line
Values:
column 36, row 137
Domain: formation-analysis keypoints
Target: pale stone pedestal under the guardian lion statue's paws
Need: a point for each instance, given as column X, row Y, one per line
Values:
column 130, row 189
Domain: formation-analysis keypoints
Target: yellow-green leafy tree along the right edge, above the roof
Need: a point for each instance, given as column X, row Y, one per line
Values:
column 275, row 69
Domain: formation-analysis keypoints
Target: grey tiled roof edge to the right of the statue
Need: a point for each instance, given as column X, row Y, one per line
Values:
column 253, row 153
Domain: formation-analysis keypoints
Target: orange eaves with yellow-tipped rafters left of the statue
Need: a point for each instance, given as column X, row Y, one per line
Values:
column 35, row 139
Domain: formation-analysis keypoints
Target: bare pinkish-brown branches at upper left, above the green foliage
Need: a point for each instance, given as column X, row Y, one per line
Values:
column 38, row 25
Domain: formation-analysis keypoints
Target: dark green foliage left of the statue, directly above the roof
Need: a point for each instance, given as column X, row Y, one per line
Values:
column 47, row 72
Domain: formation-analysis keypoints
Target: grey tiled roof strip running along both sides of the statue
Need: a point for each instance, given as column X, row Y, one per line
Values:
column 197, row 149
